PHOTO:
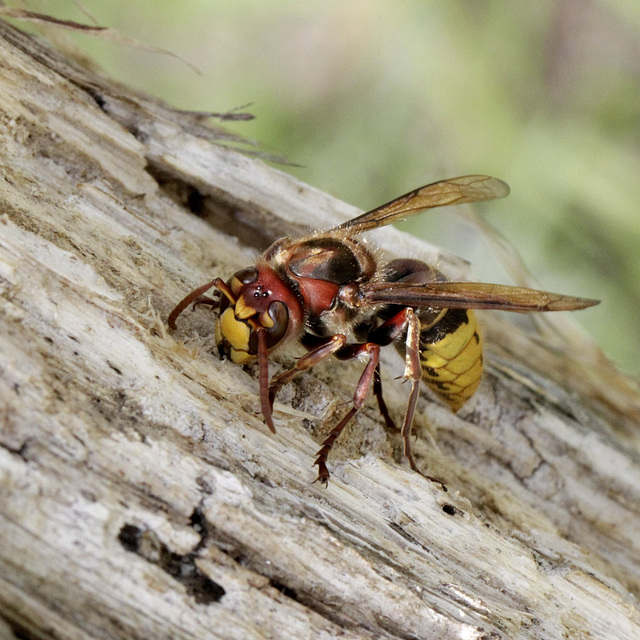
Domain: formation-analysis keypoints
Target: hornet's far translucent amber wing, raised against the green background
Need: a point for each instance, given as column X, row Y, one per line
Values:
column 439, row 194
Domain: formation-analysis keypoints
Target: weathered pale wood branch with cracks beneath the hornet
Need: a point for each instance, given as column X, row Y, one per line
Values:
column 141, row 496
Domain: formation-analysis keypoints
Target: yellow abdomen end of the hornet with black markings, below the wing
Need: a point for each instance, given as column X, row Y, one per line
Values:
column 451, row 357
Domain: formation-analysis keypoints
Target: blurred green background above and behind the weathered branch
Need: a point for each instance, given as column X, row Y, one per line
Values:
column 376, row 97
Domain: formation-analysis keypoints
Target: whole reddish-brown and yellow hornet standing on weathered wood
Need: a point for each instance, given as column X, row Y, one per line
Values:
column 328, row 291
